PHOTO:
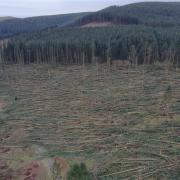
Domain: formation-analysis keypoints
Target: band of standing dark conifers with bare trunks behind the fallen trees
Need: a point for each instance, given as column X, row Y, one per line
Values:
column 137, row 44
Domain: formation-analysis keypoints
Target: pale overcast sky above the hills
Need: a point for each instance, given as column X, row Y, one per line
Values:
column 25, row 8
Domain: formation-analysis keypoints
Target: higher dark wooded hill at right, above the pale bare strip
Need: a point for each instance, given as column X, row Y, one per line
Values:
column 147, row 13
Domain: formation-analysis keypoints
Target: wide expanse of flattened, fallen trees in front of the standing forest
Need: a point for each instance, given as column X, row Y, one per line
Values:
column 122, row 122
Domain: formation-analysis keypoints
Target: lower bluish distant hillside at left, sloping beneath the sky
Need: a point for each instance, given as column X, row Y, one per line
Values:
column 26, row 25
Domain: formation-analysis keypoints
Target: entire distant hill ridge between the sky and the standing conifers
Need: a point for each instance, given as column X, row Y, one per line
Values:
column 161, row 14
